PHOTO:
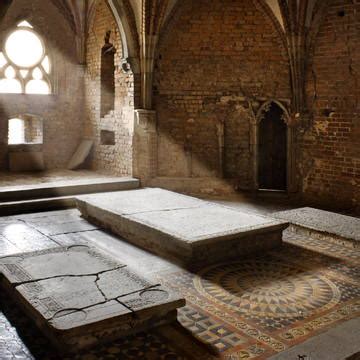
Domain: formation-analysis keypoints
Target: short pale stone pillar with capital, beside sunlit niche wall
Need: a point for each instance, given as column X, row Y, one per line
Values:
column 145, row 145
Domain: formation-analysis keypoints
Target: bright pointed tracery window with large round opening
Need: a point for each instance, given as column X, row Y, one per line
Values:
column 24, row 65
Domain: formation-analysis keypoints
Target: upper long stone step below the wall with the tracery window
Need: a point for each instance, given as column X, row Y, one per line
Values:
column 66, row 188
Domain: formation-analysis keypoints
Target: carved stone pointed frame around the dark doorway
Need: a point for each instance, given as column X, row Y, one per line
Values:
column 291, row 145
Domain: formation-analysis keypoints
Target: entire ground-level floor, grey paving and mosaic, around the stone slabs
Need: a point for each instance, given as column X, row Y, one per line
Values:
column 249, row 309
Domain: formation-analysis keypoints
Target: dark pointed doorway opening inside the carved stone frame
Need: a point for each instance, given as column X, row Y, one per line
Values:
column 272, row 149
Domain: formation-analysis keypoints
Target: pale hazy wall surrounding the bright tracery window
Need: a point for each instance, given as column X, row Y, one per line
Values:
column 62, row 112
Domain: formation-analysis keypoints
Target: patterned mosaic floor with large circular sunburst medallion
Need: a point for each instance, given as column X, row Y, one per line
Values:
column 260, row 306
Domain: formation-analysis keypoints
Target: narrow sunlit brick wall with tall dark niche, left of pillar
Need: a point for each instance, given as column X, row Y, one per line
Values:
column 111, row 94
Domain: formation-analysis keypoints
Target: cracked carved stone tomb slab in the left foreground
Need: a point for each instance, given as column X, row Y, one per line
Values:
column 80, row 297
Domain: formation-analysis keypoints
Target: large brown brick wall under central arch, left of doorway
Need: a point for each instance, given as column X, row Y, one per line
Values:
column 213, row 57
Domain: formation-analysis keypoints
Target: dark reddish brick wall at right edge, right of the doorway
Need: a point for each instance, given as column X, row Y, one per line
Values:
column 331, row 147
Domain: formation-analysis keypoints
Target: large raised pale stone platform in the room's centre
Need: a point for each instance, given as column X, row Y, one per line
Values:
column 181, row 227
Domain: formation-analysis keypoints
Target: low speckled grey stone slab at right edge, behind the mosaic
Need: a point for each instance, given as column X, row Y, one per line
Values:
column 326, row 222
